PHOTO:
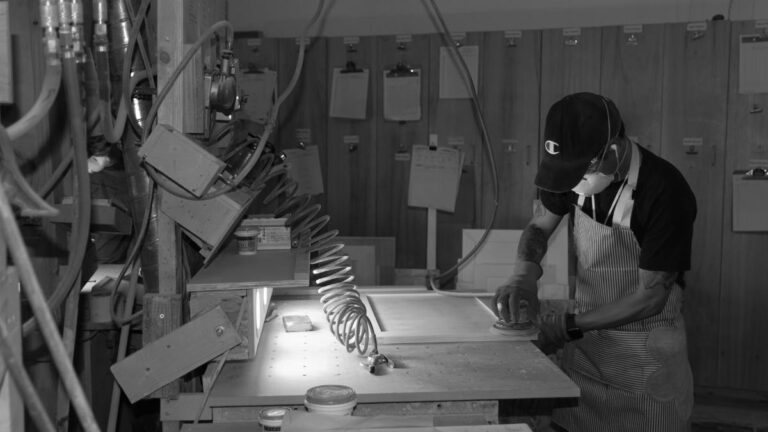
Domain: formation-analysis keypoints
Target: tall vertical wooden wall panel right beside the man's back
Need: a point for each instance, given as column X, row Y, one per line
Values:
column 695, row 96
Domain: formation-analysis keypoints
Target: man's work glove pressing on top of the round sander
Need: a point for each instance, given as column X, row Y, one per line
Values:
column 518, row 293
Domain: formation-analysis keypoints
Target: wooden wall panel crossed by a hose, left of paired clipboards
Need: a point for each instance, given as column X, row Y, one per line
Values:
column 303, row 115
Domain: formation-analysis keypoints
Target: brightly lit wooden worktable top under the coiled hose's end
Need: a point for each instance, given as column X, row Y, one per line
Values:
column 287, row 364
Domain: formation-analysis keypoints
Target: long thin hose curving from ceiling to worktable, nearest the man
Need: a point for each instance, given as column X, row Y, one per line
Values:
column 480, row 118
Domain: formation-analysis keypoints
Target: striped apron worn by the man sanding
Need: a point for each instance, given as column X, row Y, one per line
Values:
column 635, row 377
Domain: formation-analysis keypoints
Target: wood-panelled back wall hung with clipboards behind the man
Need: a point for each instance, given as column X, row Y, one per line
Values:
column 668, row 86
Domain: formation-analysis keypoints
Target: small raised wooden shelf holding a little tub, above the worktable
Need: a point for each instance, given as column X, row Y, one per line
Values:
column 267, row 268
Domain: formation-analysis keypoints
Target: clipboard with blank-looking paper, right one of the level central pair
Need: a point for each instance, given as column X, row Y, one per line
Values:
column 402, row 93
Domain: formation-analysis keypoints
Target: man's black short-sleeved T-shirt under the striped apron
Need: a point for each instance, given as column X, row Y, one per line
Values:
column 662, row 218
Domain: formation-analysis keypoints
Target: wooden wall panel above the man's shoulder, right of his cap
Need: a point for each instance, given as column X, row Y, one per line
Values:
column 630, row 77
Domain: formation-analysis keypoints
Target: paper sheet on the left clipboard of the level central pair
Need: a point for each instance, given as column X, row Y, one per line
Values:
column 349, row 94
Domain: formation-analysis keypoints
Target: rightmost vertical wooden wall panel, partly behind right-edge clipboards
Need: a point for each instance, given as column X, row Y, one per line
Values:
column 743, row 340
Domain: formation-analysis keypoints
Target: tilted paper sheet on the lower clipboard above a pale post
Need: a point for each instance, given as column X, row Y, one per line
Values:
column 434, row 177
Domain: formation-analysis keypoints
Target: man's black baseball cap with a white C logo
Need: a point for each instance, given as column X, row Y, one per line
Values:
column 578, row 128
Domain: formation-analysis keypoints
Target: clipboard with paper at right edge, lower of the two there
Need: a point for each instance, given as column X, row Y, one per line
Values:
column 750, row 201
